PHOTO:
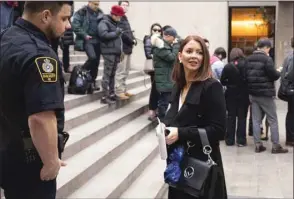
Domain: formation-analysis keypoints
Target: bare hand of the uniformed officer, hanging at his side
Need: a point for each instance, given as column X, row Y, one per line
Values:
column 50, row 172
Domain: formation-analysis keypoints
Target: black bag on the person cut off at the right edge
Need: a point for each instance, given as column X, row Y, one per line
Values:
column 286, row 89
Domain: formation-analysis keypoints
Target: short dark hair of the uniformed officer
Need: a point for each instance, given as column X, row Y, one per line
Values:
column 39, row 6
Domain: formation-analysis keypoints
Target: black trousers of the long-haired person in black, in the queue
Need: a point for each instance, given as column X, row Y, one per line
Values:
column 237, row 110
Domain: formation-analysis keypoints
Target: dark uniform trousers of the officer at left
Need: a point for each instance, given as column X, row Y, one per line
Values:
column 22, row 180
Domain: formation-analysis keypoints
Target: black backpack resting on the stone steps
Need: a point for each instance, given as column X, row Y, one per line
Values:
column 80, row 81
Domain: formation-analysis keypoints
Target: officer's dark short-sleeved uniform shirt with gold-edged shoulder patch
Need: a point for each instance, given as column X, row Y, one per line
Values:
column 31, row 79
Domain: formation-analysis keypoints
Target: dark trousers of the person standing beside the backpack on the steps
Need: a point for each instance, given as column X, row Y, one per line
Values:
column 93, row 52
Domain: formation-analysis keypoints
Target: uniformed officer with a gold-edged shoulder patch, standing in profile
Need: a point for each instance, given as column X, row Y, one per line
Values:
column 32, row 101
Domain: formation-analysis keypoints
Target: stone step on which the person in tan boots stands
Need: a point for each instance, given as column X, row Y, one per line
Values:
column 82, row 114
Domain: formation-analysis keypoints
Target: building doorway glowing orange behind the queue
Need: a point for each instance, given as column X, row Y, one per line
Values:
column 248, row 24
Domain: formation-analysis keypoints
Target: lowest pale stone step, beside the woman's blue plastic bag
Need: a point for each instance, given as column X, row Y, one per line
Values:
column 149, row 184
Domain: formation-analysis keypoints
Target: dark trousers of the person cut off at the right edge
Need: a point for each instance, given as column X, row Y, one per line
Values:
column 290, row 121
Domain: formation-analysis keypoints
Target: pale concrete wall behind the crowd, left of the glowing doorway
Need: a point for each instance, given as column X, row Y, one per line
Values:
column 207, row 19
